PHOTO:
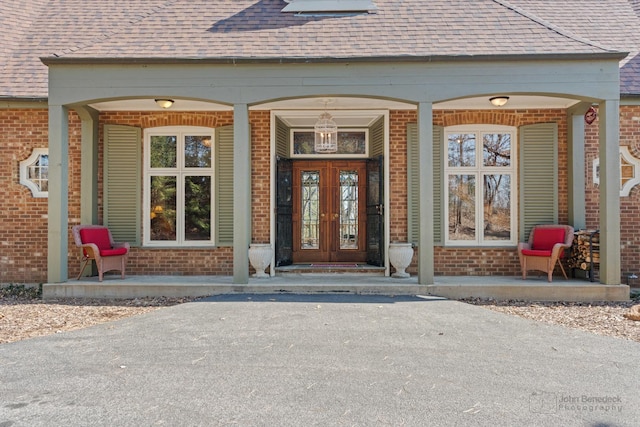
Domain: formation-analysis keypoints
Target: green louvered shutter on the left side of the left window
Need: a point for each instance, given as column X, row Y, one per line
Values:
column 122, row 192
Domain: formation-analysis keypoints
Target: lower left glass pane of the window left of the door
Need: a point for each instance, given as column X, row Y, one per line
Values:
column 163, row 208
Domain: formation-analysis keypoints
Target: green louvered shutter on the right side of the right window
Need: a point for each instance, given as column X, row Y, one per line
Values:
column 538, row 176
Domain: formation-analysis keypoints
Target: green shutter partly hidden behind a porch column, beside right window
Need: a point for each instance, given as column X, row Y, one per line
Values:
column 413, row 182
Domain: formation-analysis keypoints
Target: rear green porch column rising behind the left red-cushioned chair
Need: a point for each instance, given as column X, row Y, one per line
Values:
column 89, row 165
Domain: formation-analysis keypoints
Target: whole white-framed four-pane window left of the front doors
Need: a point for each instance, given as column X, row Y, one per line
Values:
column 178, row 187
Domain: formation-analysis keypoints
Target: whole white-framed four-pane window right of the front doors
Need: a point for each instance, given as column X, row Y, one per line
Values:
column 480, row 177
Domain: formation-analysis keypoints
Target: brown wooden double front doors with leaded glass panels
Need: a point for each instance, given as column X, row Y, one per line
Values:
column 329, row 211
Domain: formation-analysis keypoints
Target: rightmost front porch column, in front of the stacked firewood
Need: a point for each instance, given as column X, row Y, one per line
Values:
column 609, row 151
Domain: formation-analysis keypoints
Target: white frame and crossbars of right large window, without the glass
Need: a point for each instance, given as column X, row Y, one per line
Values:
column 478, row 171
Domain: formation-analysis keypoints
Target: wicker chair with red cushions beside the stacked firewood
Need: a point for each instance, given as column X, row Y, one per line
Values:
column 545, row 248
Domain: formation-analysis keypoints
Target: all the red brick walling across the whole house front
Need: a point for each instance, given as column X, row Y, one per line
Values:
column 23, row 219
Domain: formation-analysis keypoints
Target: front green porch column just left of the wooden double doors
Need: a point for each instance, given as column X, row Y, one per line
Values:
column 241, row 193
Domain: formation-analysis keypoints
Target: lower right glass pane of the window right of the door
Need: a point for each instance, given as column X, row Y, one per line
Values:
column 497, row 207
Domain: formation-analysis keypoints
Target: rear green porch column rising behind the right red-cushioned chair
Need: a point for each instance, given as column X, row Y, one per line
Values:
column 576, row 166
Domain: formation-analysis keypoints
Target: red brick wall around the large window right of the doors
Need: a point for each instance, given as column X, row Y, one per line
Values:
column 467, row 261
